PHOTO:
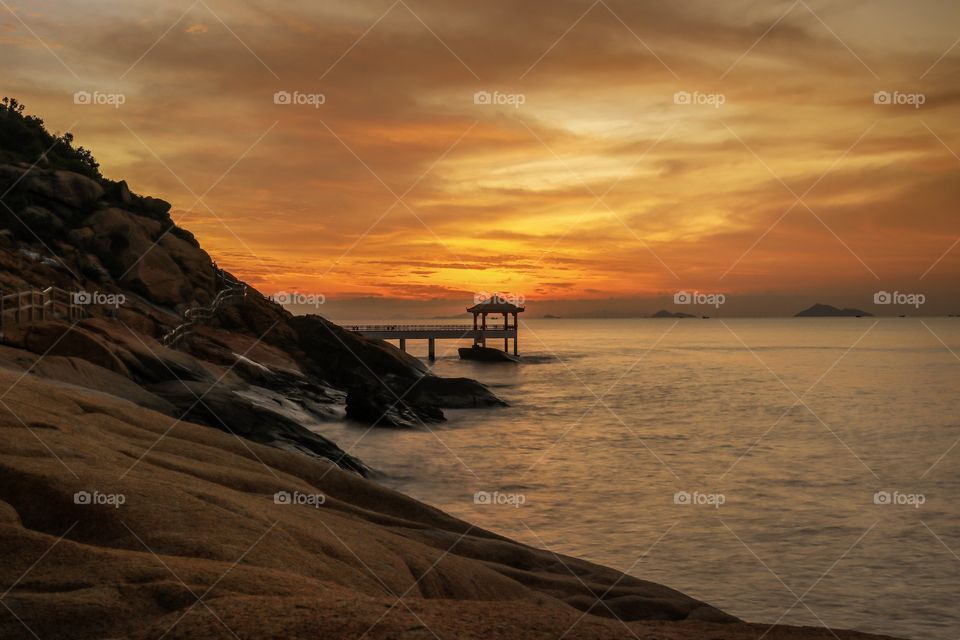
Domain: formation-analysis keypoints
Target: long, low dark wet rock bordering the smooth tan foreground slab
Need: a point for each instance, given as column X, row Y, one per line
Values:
column 219, row 407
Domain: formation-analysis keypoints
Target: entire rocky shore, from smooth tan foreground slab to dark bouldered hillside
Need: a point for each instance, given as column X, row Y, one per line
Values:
column 148, row 492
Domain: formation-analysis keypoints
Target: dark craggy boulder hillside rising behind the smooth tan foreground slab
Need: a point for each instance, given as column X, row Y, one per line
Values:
column 73, row 229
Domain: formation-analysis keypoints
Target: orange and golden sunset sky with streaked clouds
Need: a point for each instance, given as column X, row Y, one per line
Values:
column 402, row 157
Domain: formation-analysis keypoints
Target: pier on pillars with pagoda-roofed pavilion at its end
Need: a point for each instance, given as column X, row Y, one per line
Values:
column 480, row 331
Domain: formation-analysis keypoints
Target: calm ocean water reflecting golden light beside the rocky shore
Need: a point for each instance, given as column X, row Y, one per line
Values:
column 736, row 460
